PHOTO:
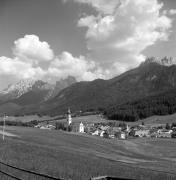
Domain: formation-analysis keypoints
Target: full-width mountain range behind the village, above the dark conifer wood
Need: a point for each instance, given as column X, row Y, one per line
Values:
column 149, row 79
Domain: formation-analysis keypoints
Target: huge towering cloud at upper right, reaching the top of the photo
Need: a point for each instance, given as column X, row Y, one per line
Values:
column 121, row 30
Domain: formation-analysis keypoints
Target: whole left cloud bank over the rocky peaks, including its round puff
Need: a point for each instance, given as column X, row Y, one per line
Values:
column 30, row 53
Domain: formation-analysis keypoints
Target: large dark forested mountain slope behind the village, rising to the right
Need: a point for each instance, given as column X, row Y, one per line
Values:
column 148, row 79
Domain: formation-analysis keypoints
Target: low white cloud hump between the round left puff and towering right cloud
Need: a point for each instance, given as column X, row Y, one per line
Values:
column 67, row 65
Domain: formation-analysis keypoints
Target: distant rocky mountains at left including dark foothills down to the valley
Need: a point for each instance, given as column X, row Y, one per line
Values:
column 27, row 95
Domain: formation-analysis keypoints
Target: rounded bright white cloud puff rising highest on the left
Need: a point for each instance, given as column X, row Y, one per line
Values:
column 30, row 48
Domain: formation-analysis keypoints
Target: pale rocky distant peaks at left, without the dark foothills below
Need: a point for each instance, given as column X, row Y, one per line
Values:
column 29, row 91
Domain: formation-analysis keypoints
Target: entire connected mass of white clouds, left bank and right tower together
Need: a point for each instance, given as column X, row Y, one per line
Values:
column 116, row 37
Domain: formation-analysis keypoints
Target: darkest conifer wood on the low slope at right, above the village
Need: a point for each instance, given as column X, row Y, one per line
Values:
column 161, row 104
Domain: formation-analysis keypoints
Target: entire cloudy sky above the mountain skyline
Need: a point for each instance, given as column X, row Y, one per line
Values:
column 88, row 39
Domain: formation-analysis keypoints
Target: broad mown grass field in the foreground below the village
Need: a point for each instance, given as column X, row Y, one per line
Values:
column 73, row 156
